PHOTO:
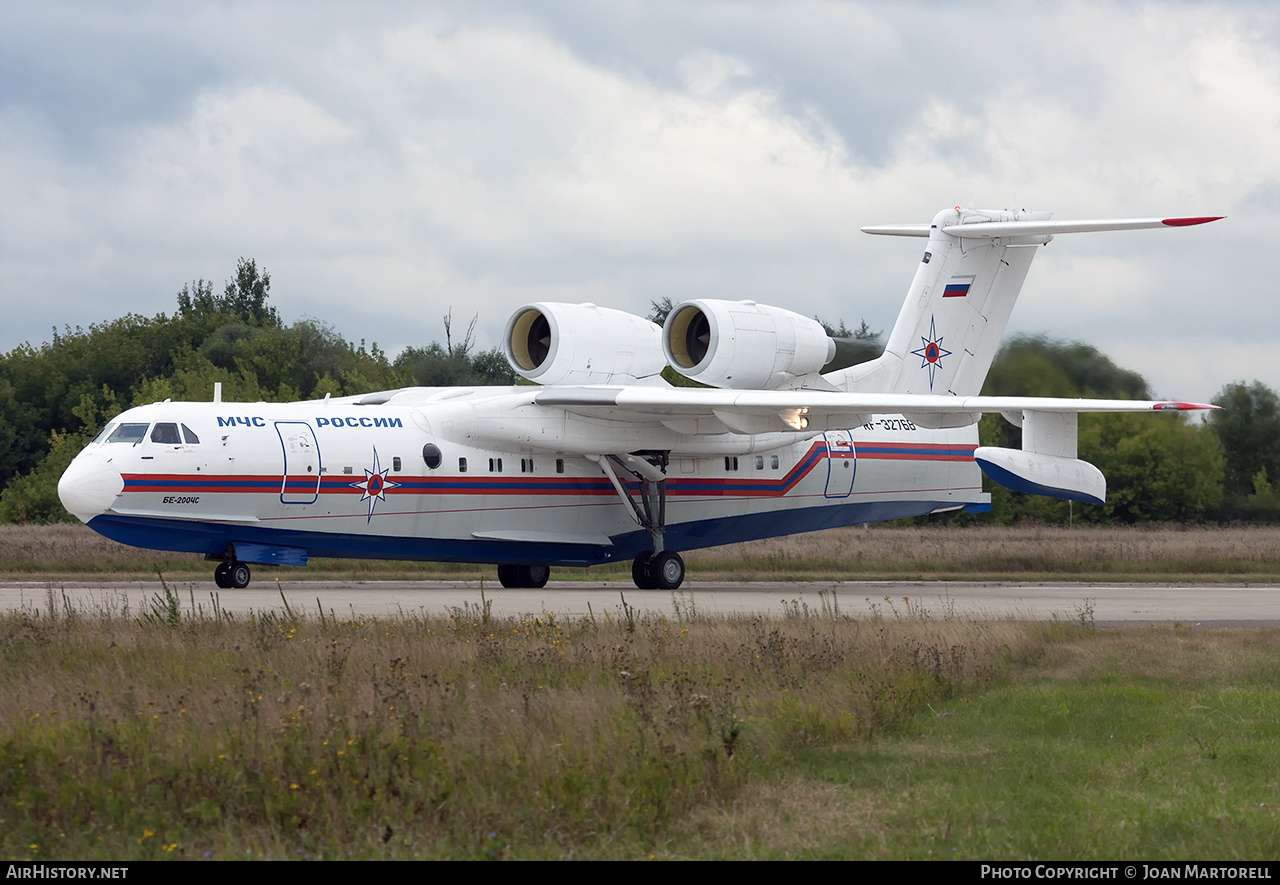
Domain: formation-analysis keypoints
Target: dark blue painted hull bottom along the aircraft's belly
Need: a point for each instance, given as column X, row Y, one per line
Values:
column 291, row 546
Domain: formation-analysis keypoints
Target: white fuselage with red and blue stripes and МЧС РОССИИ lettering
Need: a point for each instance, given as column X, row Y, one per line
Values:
column 483, row 476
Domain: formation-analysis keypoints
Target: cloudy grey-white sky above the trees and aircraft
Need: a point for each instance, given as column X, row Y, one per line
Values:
column 387, row 162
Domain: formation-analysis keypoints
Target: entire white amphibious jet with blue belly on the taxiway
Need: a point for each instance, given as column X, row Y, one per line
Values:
column 604, row 462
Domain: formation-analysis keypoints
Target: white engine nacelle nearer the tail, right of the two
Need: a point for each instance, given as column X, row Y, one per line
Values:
column 743, row 345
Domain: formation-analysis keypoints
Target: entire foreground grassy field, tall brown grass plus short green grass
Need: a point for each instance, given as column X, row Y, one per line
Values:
column 885, row 733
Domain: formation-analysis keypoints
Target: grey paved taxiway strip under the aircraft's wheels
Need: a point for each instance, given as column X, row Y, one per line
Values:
column 1194, row 605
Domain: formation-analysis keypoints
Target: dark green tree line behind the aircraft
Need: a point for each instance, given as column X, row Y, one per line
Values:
column 56, row 398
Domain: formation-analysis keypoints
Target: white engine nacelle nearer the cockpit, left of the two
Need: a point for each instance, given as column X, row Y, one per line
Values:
column 561, row 344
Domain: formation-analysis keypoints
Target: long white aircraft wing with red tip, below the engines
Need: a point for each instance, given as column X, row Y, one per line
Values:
column 819, row 410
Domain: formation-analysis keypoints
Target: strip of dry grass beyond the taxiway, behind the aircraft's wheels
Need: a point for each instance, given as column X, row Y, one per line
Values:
column 935, row 553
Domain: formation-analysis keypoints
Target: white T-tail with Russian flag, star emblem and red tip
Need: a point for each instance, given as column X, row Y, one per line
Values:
column 956, row 313
